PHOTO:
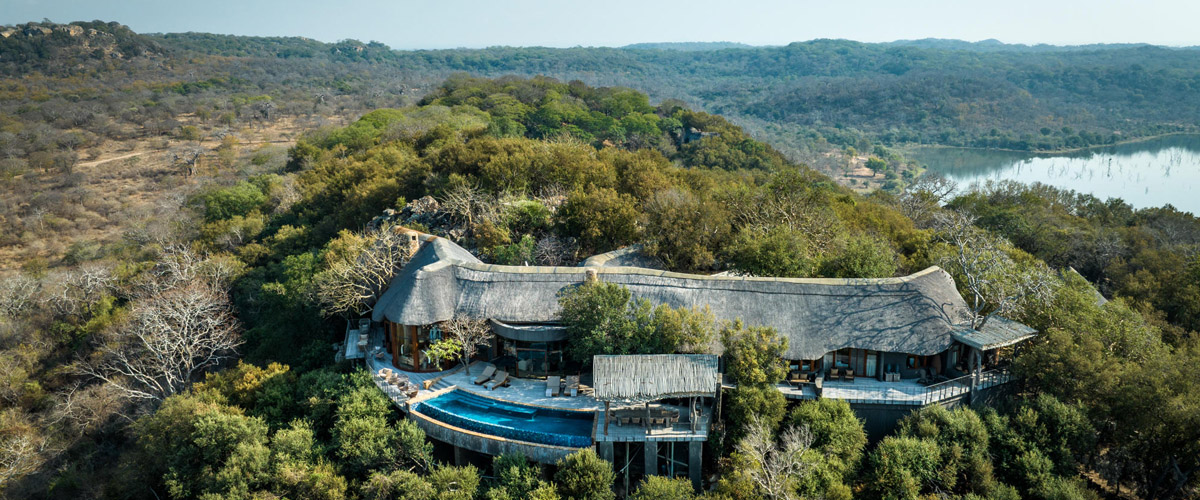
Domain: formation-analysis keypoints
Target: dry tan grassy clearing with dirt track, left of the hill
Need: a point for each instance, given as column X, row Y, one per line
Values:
column 117, row 188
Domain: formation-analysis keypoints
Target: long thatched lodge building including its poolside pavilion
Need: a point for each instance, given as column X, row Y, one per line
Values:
column 887, row 346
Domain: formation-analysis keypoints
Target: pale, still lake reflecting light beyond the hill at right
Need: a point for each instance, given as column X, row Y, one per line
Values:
column 1150, row 173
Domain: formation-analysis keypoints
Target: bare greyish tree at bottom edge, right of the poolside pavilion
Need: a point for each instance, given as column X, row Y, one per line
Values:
column 777, row 467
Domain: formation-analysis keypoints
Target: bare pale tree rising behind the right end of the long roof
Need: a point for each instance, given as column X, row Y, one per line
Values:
column 994, row 282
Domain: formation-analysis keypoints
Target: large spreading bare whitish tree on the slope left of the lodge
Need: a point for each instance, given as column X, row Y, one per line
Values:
column 172, row 338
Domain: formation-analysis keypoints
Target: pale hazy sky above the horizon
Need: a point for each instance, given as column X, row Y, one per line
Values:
column 433, row 25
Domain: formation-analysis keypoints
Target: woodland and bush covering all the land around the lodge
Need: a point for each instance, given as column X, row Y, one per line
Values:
column 550, row 170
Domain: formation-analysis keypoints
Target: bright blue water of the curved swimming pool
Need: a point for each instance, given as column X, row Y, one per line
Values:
column 511, row 420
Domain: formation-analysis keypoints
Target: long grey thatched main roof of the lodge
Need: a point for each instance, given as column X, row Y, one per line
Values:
column 913, row 315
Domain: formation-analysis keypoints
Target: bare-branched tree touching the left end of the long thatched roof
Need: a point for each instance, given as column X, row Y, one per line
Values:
column 355, row 281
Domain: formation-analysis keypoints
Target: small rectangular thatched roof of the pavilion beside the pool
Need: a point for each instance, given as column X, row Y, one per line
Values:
column 645, row 378
